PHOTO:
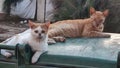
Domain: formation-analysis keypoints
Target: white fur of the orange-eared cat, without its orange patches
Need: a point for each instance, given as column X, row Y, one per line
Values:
column 28, row 37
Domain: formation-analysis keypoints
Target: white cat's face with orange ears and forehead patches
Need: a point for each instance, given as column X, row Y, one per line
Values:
column 39, row 30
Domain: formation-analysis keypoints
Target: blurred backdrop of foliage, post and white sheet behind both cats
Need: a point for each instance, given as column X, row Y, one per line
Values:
column 16, row 12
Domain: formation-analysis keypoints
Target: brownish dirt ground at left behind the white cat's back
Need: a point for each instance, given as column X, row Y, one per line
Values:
column 10, row 28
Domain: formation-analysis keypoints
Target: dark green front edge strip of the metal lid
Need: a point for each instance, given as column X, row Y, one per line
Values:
column 78, row 62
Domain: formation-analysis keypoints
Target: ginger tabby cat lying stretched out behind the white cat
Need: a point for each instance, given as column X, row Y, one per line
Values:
column 90, row 27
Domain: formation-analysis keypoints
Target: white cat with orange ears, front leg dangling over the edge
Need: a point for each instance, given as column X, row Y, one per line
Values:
column 36, row 37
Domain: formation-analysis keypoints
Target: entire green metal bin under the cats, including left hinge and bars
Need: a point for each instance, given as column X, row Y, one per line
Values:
column 74, row 53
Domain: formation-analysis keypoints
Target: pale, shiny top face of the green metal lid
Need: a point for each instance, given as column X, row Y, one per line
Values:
column 100, row 48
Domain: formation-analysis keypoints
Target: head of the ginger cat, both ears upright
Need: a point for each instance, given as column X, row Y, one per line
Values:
column 98, row 16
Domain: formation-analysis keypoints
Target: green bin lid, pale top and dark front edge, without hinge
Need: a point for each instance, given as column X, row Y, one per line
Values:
column 84, row 52
